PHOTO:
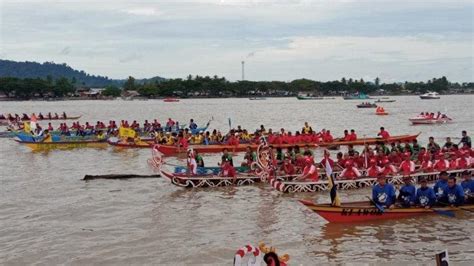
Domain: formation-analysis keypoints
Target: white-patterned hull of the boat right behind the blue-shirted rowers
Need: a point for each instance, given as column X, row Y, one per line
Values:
column 323, row 185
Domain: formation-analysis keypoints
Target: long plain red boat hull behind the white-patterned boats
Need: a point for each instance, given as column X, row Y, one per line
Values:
column 216, row 148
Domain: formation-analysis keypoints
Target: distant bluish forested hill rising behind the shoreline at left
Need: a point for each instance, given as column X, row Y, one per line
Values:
column 27, row 69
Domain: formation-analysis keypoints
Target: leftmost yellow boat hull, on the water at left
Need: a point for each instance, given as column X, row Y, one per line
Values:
column 63, row 145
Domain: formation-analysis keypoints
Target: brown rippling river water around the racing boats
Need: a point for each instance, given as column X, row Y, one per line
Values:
column 48, row 215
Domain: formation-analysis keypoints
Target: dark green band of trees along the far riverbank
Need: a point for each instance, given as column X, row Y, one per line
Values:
column 12, row 88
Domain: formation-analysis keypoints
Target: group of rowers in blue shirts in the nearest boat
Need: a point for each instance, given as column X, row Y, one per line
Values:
column 445, row 192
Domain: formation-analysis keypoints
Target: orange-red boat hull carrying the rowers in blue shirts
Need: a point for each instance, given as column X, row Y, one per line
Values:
column 364, row 211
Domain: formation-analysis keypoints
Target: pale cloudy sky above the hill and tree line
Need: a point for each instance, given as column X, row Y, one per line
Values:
column 278, row 40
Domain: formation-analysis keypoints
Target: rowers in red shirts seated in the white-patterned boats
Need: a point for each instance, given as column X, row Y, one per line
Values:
column 371, row 162
